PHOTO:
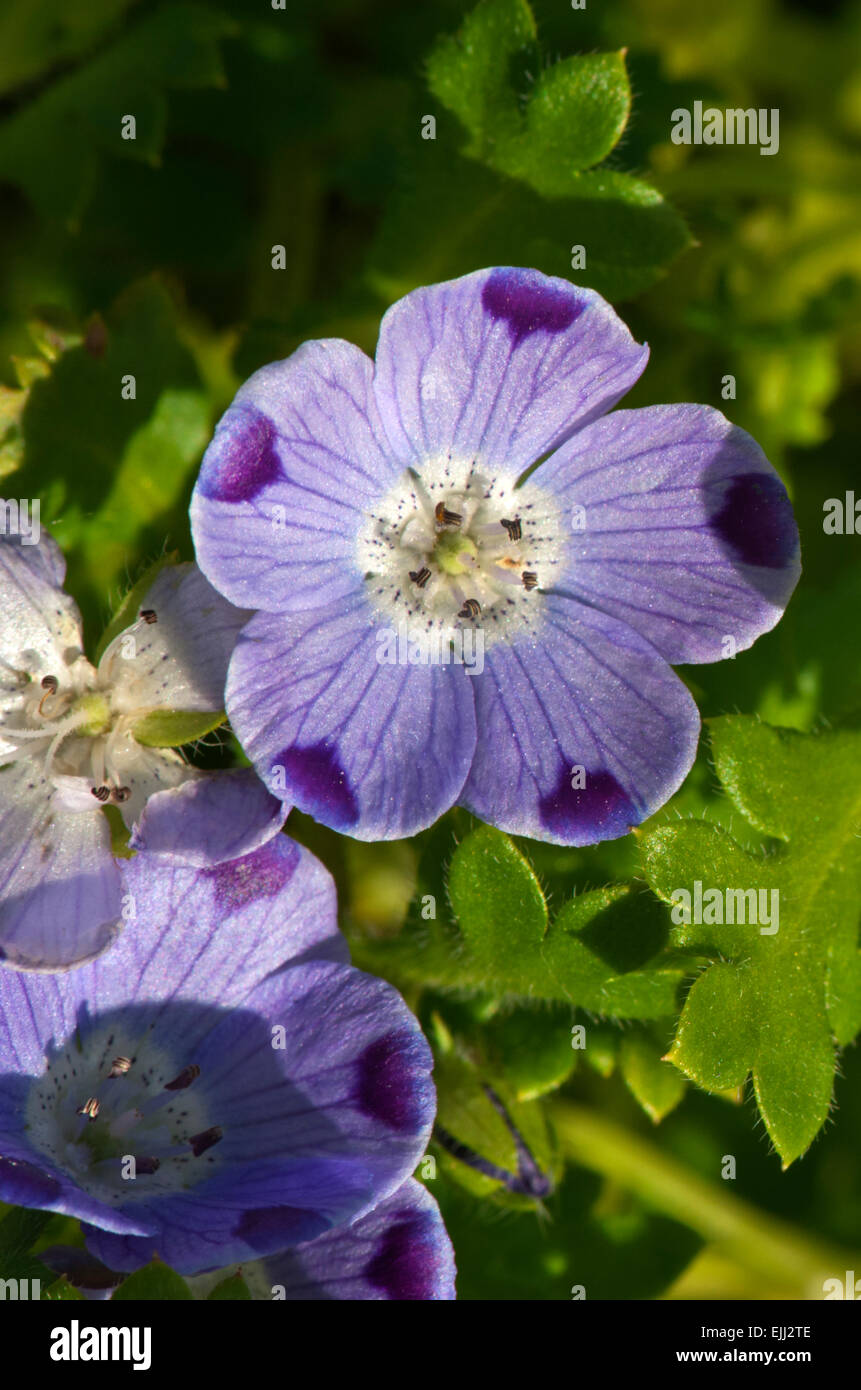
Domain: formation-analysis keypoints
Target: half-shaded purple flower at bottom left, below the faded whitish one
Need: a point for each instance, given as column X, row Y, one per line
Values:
column 219, row 1086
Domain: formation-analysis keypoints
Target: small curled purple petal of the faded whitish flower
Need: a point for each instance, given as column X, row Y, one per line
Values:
column 211, row 819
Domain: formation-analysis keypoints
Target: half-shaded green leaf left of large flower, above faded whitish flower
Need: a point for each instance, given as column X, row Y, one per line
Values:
column 113, row 472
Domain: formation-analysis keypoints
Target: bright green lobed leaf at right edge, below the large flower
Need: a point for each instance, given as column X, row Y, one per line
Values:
column 773, row 1004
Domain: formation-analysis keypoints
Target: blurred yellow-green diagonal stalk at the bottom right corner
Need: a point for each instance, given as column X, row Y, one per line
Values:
column 764, row 1245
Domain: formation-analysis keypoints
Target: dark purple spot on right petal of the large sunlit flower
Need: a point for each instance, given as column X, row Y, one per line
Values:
column 757, row 521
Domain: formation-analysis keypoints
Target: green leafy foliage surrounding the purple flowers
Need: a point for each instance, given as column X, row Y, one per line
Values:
column 303, row 127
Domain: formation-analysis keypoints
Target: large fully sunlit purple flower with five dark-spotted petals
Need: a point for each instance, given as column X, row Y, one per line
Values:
column 440, row 622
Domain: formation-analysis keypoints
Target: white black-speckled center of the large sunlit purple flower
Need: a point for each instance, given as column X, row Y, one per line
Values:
column 450, row 546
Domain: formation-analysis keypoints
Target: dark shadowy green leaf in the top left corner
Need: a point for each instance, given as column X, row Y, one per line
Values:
column 54, row 147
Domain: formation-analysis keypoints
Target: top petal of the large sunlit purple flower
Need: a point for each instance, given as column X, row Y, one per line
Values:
column 499, row 366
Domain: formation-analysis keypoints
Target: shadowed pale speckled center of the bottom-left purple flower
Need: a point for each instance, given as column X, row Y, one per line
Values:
column 124, row 1121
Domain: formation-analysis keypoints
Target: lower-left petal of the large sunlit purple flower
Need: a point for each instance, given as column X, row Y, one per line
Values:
column 375, row 750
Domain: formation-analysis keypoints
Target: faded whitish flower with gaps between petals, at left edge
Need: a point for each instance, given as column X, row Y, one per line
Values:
column 79, row 739
